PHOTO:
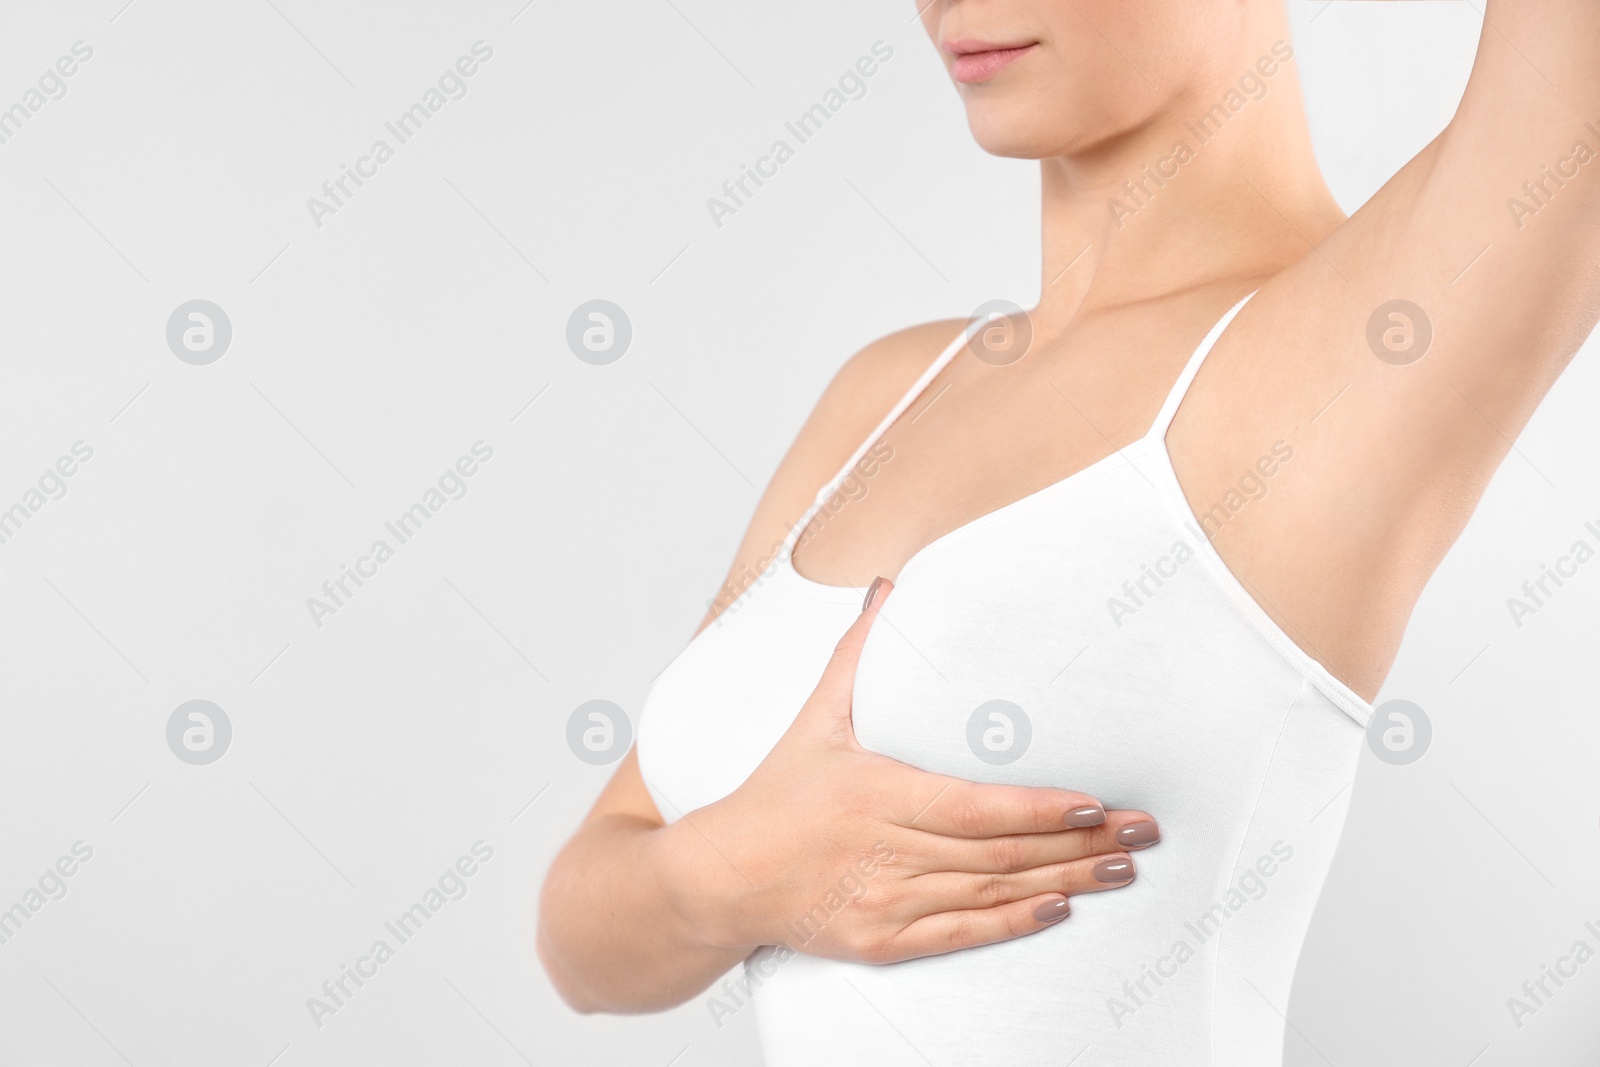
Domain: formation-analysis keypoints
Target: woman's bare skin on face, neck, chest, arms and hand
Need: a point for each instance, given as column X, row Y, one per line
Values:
column 1390, row 460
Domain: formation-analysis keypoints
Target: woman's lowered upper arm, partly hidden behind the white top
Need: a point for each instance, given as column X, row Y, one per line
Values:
column 850, row 409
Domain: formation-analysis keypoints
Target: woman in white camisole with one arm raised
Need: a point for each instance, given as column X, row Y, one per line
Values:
column 1154, row 546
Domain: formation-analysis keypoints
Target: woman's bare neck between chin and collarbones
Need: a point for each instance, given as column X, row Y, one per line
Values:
column 1225, row 185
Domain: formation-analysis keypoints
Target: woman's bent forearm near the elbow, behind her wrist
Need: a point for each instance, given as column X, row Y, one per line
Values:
column 615, row 925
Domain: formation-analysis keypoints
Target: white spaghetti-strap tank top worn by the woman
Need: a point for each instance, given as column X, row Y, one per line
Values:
column 1146, row 677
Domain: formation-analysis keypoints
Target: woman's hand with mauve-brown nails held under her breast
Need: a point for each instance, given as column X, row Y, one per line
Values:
column 842, row 853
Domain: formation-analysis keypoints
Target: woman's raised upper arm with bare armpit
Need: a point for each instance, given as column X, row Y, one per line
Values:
column 1404, row 354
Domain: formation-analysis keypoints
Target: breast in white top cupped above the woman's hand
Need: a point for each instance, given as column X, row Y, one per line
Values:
column 1103, row 633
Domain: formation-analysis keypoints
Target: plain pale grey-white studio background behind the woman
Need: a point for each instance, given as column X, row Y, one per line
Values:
column 431, row 709
